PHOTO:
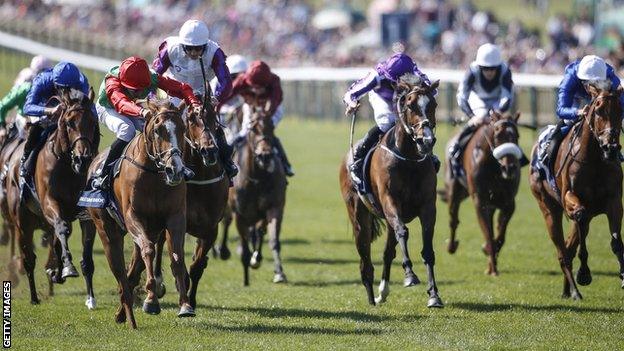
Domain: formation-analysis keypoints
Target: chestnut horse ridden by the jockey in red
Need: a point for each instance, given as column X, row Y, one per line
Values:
column 151, row 196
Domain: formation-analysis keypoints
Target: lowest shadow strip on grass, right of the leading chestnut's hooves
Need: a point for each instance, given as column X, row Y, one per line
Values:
column 281, row 329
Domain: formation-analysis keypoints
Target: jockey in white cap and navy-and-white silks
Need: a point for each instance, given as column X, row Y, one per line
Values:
column 487, row 85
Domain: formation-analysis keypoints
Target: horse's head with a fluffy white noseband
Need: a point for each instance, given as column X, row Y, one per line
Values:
column 505, row 143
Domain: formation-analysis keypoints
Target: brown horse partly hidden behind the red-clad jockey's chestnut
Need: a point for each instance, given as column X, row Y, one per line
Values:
column 206, row 196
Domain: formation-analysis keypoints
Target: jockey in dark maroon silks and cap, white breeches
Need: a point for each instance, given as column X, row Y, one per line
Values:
column 260, row 87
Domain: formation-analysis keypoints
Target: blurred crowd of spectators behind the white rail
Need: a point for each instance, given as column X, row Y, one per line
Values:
column 284, row 33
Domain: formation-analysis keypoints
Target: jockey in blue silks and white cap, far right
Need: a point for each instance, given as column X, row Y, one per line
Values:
column 590, row 70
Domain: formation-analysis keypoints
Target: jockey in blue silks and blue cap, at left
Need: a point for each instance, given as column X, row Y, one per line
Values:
column 64, row 77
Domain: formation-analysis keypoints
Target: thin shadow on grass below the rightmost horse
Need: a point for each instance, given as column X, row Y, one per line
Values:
column 499, row 307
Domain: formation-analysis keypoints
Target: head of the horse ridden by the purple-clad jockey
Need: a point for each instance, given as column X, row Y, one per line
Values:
column 416, row 107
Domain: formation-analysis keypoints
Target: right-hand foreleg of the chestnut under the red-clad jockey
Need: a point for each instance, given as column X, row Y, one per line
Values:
column 176, row 230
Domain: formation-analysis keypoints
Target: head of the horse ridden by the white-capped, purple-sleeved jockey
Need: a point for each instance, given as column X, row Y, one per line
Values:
column 200, row 135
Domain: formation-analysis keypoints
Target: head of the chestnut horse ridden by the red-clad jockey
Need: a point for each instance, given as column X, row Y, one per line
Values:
column 163, row 135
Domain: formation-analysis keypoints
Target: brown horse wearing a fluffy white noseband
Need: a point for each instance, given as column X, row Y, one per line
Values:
column 492, row 168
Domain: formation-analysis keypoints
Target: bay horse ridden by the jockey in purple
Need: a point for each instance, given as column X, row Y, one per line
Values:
column 403, row 183
